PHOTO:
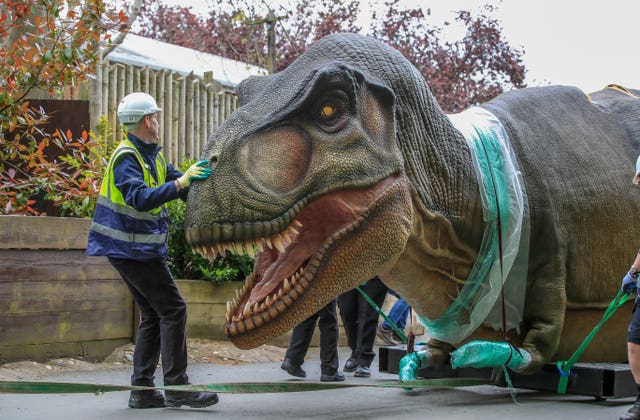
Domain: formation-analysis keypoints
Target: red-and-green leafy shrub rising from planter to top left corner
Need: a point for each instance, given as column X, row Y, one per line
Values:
column 47, row 45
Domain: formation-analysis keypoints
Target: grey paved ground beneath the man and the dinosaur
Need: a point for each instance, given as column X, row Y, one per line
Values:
column 477, row 402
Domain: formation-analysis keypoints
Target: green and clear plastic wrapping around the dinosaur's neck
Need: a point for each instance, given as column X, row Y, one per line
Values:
column 503, row 198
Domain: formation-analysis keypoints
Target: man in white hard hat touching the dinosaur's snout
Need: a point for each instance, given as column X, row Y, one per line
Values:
column 130, row 226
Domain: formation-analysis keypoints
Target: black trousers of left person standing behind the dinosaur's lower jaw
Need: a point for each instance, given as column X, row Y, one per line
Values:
column 303, row 332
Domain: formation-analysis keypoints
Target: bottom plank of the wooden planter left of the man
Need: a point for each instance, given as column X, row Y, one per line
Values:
column 58, row 327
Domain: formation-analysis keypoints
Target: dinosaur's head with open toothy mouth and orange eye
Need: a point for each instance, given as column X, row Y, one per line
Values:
column 307, row 175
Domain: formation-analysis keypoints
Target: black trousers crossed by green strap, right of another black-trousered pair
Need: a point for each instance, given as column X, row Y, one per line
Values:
column 360, row 319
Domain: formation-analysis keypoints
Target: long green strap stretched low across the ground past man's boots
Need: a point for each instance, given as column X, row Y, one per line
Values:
column 19, row 387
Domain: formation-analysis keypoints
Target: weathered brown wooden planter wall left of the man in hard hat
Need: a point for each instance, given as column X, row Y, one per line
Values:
column 54, row 300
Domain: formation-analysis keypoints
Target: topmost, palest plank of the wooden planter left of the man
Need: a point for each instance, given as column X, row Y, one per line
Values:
column 24, row 232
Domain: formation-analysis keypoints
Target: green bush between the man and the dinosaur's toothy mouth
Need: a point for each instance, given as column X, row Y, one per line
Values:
column 185, row 264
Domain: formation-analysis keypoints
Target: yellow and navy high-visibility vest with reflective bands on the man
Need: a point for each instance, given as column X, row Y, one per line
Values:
column 119, row 230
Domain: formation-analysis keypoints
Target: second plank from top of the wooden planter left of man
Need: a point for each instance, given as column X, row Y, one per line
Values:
column 53, row 265
